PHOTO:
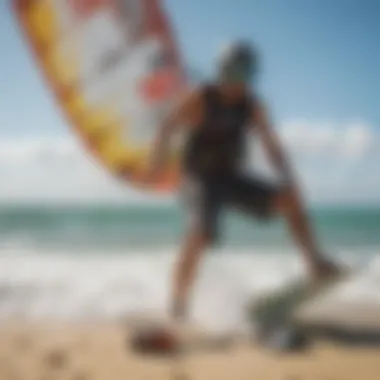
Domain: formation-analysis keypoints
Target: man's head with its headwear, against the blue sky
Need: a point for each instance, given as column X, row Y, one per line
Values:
column 236, row 65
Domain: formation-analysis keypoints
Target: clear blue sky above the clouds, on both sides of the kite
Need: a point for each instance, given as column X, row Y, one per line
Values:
column 320, row 62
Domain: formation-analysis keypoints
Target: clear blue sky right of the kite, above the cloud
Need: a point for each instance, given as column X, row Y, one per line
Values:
column 320, row 58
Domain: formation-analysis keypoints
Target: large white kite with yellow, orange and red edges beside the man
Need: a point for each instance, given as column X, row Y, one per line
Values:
column 115, row 70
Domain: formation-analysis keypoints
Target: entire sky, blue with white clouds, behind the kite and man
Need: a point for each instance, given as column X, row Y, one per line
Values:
column 319, row 76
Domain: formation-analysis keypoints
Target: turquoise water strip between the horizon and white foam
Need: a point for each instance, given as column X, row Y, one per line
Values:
column 121, row 227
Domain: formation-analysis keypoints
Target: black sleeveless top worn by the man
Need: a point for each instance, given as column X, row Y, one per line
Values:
column 217, row 146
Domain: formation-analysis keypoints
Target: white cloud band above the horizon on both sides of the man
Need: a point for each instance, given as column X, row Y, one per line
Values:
column 335, row 163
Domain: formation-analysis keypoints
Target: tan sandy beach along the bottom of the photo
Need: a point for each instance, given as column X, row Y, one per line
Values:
column 99, row 352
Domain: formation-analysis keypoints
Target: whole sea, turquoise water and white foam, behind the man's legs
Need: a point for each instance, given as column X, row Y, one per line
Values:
column 106, row 261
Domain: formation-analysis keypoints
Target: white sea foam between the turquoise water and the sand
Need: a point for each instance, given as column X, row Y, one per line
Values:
column 76, row 286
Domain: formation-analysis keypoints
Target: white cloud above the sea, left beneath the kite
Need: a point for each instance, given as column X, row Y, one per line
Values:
column 57, row 170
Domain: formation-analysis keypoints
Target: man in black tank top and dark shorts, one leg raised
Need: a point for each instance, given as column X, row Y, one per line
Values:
column 217, row 117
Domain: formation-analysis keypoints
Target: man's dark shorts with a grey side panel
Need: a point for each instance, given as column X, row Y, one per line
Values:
column 204, row 199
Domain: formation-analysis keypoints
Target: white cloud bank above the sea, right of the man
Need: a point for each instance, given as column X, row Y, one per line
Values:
column 336, row 162
